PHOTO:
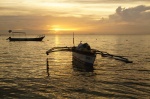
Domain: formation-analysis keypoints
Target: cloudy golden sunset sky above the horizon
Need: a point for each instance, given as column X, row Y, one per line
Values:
column 81, row 16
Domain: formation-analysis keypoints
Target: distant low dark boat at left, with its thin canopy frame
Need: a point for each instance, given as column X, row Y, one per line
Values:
column 39, row 38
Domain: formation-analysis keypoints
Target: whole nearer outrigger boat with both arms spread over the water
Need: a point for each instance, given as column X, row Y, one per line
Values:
column 84, row 56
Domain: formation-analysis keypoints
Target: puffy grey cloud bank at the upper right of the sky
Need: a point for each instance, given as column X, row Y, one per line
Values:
column 138, row 13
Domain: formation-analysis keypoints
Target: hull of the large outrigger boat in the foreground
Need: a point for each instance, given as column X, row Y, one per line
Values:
column 83, row 61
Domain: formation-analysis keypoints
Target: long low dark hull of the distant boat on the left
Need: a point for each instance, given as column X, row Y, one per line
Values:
column 26, row 39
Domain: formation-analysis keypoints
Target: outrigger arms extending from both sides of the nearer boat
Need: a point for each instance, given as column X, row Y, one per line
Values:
column 103, row 54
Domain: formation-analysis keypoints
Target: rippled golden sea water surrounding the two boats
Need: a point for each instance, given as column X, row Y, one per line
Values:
column 23, row 71
